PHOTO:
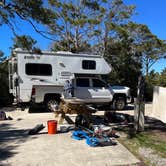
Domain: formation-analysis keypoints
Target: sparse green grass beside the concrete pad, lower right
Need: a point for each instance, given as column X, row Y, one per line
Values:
column 145, row 140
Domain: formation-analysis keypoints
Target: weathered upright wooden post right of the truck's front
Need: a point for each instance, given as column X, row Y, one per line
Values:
column 139, row 107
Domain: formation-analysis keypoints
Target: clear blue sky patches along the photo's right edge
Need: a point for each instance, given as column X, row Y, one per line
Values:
column 153, row 14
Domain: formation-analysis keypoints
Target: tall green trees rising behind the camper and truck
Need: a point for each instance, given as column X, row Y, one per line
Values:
column 102, row 27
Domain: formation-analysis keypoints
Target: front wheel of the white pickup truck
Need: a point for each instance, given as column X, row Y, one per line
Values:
column 119, row 103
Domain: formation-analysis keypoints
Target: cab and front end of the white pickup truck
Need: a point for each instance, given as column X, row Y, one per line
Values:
column 93, row 90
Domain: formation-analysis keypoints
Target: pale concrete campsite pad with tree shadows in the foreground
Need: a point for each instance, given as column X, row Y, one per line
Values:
column 18, row 148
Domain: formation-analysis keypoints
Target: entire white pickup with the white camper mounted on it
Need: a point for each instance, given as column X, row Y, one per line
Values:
column 40, row 78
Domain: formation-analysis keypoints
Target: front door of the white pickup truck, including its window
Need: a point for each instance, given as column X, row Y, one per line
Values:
column 100, row 91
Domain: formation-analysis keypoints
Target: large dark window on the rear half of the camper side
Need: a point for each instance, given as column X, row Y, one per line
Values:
column 38, row 69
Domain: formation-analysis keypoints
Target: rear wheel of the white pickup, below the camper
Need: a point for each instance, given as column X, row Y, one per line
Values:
column 52, row 105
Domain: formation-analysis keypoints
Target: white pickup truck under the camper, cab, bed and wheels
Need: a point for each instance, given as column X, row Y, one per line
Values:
column 90, row 90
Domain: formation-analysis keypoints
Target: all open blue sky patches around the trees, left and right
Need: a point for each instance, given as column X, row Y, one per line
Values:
column 150, row 12
